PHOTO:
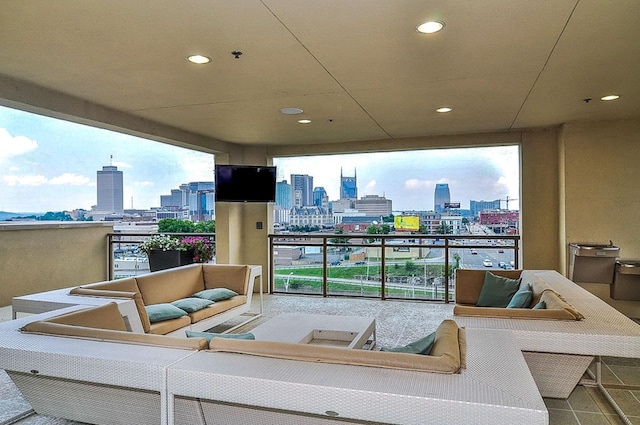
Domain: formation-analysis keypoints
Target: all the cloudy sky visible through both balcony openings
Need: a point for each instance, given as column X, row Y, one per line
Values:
column 48, row 164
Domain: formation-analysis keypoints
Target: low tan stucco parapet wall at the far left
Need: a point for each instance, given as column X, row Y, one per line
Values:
column 37, row 257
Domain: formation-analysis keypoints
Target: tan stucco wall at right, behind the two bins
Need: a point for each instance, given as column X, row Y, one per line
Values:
column 601, row 162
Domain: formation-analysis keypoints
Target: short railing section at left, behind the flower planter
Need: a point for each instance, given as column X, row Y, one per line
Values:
column 126, row 261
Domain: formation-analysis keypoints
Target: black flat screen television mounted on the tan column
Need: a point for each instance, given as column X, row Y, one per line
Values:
column 245, row 183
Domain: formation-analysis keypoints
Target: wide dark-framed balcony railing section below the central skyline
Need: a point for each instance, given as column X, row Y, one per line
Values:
column 415, row 267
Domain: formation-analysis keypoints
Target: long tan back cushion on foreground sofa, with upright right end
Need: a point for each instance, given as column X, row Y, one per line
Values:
column 445, row 362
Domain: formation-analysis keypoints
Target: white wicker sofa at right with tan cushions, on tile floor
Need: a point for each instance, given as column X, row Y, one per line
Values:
column 558, row 349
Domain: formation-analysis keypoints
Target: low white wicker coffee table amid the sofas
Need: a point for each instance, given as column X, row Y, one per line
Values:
column 342, row 331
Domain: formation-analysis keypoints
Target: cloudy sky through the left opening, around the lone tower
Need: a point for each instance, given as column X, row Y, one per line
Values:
column 48, row 164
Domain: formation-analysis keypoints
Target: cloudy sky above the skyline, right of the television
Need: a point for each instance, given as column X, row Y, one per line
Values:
column 409, row 178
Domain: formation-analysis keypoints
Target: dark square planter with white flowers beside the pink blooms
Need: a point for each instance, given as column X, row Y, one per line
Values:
column 165, row 252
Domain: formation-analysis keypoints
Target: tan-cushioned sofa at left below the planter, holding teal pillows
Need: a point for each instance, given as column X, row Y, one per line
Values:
column 159, row 294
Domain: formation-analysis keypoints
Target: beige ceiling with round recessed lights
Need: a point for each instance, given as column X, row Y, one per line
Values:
column 357, row 68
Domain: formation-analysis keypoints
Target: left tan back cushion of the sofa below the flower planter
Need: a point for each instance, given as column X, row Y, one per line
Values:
column 169, row 285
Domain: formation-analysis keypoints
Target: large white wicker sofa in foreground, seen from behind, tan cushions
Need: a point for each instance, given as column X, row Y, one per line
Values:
column 83, row 365
